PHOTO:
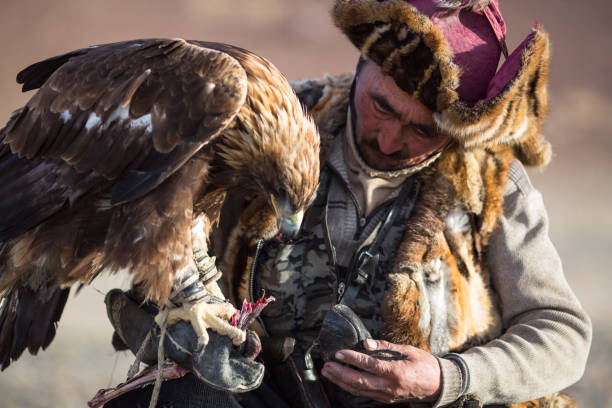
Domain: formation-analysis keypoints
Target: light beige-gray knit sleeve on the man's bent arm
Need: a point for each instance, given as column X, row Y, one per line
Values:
column 547, row 334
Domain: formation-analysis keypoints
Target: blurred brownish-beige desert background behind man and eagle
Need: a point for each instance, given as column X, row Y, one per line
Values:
column 299, row 38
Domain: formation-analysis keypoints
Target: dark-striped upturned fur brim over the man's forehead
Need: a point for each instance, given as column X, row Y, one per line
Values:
column 406, row 44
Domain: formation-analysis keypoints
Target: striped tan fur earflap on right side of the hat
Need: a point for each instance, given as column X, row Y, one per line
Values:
column 514, row 114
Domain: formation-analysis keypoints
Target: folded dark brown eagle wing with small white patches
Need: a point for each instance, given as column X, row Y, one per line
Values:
column 130, row 112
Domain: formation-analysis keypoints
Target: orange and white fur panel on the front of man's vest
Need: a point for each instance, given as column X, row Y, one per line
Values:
column 439, row 297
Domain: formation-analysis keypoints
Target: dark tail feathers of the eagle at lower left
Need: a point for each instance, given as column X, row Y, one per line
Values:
column 28, row 319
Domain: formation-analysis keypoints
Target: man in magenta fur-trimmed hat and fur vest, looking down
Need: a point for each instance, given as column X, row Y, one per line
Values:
column 423, row 173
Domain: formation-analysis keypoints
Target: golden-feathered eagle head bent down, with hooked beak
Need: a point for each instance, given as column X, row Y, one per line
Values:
column 273, row 150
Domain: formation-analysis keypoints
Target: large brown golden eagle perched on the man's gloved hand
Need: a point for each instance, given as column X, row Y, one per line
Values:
column 122, row 161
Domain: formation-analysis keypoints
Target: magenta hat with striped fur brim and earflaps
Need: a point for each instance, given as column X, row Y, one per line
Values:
column 445, row 54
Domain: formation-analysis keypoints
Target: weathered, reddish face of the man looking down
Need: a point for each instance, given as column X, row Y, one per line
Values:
column 392, row 129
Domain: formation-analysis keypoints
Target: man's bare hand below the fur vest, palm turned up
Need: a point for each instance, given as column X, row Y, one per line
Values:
column 415, row 377
